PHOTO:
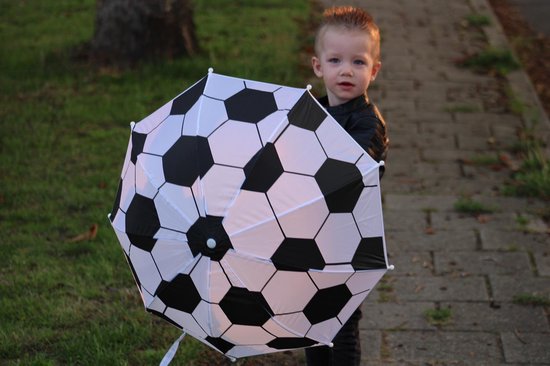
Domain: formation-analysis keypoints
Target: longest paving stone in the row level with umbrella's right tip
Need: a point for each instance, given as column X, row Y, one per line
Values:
column 482, row 262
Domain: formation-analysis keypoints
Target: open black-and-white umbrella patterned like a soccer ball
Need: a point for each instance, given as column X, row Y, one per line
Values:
column 250, row 219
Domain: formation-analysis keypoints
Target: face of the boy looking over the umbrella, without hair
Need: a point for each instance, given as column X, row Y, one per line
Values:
column 346, row 63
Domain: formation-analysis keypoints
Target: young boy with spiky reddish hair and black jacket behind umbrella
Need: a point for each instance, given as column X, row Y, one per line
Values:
column 347, row 58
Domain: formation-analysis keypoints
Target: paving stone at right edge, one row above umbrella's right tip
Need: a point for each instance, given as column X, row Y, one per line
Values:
column 508, row 238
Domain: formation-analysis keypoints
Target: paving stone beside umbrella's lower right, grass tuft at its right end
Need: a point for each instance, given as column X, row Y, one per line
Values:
column 396, row 316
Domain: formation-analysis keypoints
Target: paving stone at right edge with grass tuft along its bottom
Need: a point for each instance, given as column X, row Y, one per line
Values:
column 504, row 288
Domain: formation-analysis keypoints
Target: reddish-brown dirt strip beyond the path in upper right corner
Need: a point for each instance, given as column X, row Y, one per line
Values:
column 532, row 48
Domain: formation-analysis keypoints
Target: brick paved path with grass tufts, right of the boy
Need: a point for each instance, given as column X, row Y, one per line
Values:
column 438, row 117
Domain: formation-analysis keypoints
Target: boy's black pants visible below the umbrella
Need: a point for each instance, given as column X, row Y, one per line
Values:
column 346, row 350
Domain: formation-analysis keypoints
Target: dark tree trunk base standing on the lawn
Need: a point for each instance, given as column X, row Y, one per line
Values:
column 129, row 31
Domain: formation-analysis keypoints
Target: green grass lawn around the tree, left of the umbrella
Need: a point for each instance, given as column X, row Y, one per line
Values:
column 64, row 136
